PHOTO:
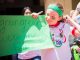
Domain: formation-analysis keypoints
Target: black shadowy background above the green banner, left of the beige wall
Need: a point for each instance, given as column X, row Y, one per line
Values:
column 14, row 7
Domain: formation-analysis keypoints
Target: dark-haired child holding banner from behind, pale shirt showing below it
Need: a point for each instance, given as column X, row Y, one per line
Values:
column 31, row 55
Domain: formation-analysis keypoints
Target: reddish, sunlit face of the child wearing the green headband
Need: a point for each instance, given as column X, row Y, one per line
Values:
column 52, row 17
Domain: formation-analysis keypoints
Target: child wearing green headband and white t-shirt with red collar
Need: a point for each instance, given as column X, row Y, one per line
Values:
column 60, row 31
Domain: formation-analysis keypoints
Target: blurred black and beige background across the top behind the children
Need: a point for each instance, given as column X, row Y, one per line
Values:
column 14, row 7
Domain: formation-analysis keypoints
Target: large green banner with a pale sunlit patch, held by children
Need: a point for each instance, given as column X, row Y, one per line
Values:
column 23, row 33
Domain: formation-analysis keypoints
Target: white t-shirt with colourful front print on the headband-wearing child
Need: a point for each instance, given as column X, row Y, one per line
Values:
column 62, row 49
